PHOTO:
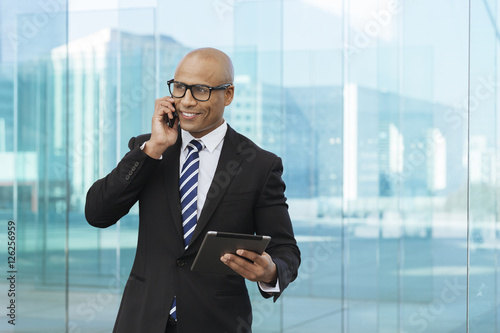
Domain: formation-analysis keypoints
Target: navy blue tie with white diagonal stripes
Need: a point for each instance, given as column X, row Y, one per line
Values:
column 188, row 189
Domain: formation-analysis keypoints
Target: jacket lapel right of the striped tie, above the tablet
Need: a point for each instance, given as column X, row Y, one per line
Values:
column 230, row 159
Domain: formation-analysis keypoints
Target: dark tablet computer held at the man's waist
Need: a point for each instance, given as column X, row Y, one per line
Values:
column 218, row 243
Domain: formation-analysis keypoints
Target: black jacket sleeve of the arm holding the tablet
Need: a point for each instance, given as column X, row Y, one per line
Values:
column 272, row 218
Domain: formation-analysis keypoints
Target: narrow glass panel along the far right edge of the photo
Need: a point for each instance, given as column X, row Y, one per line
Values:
column 483, row 169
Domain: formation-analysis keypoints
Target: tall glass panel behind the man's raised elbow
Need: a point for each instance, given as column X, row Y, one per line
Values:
column 93, row 57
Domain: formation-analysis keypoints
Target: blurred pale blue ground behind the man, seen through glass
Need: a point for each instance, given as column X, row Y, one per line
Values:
column 424, row 291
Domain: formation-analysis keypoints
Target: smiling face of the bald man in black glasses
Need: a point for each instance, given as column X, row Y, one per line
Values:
column 200, row 118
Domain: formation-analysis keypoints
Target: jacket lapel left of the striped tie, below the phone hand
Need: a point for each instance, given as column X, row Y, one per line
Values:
column 171, row 182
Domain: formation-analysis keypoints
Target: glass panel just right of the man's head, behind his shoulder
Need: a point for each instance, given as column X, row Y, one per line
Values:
column 258, row 109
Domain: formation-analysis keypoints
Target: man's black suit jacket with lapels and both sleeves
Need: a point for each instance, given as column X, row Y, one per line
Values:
column 246, row 196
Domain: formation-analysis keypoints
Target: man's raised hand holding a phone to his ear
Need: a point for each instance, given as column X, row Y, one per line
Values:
column 162, row 135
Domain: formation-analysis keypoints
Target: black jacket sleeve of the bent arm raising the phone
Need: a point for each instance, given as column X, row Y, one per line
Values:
column 111, row 197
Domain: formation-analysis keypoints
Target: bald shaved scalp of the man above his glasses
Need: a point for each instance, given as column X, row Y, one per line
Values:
column 220, row 65
